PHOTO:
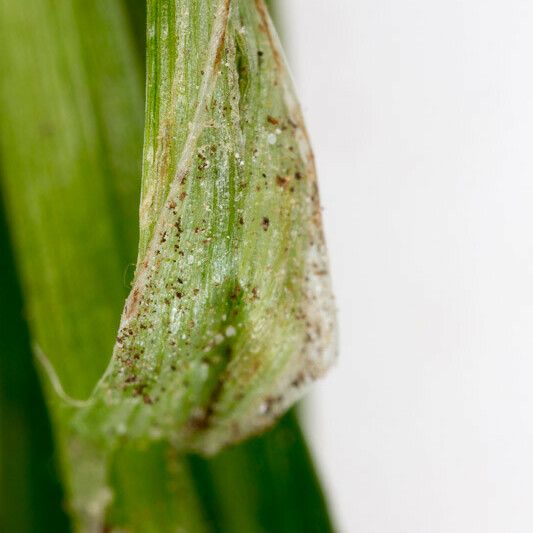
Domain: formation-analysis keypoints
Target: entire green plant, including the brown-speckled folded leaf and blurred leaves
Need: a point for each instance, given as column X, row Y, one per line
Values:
column 228, row 313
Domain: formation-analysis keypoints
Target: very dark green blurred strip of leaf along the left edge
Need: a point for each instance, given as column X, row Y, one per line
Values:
column 30, row 494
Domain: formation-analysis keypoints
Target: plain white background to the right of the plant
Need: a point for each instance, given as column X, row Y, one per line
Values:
column 421, row 114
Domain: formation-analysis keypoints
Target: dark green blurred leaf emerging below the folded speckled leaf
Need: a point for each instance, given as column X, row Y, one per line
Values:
column 266, row 484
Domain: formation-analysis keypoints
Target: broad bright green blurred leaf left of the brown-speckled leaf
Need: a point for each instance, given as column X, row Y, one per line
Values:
column 70, row 139
